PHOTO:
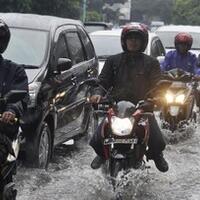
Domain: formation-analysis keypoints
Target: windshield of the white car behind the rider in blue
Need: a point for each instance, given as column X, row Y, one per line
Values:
column 167, row 39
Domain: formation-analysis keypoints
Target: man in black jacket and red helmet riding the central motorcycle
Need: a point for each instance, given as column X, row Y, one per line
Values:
column 131, row 74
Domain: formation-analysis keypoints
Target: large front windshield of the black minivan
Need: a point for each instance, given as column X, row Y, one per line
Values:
column 27, row 46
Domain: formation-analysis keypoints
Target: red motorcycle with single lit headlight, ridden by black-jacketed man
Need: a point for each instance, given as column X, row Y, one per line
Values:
column 125, row 132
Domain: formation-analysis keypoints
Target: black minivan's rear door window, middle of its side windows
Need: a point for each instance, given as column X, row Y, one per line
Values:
column 75, row 47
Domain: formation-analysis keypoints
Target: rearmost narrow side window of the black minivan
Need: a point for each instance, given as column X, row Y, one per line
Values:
column 87, row 44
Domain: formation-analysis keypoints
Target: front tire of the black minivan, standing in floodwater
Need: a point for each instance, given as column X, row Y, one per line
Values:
column 40, row 153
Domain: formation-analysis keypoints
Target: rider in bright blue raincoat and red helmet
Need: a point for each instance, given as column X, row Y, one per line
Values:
column 181, row 57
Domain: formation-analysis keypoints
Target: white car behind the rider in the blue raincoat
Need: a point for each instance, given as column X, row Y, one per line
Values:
column 167, row 34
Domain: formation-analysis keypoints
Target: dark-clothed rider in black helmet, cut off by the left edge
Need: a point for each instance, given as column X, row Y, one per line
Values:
column 12, row 77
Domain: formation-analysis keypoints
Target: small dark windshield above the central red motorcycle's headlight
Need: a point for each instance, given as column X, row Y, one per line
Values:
column 124, row 109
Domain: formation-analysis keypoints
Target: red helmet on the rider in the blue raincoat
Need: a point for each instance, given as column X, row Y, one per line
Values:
column 183, row 38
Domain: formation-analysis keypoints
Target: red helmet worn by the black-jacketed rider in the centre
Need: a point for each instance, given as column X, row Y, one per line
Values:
column 138, row 29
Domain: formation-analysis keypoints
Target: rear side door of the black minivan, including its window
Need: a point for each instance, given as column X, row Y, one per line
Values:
column 72, row 100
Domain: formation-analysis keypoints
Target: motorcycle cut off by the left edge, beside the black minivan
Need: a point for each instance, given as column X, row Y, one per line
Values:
column 8, row 165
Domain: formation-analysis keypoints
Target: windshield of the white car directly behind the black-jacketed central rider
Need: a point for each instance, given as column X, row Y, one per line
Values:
column 106, row 45
